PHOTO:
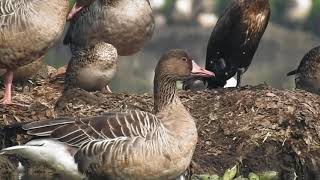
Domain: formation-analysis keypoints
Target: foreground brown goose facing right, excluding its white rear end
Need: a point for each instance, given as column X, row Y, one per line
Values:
column 134, row 144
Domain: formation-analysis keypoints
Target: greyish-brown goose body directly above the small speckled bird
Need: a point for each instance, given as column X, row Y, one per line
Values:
column 126, row 24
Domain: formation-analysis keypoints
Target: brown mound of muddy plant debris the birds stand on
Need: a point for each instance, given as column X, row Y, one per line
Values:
column 259, row 128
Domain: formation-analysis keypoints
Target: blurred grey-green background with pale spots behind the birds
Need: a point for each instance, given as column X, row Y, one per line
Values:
column 293, row 30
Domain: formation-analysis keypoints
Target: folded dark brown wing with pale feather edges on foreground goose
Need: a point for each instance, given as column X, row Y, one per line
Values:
column 109, row 126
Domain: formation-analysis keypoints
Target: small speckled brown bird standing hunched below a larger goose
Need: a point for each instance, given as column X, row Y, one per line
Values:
column 92, row 68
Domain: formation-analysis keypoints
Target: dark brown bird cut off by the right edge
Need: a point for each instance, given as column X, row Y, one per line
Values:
column 308, row 72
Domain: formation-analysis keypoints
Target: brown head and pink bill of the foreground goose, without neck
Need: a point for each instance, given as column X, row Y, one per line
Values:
column 179, row 66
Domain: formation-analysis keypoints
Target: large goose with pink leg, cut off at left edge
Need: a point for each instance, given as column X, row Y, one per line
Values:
column 27, row 29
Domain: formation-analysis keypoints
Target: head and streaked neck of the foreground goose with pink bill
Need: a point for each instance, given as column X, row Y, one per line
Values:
column 175, row 65
